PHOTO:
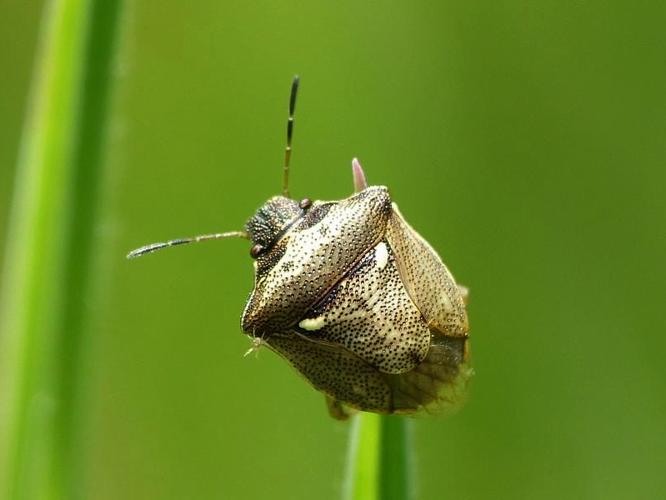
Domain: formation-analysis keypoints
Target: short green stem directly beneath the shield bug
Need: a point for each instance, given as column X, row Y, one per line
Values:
column 379, row 461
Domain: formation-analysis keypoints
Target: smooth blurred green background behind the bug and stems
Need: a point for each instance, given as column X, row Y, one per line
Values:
column 525, row 140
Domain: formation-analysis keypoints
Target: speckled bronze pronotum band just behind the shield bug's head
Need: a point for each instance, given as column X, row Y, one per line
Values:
column 311, row 258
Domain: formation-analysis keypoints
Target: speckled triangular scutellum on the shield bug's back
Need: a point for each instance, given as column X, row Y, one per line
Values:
column 371, row 315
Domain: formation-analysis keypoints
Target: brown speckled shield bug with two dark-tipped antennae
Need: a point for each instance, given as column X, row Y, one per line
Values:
column 353, row 298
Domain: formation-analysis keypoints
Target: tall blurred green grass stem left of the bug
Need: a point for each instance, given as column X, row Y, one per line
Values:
column 48, row 252
